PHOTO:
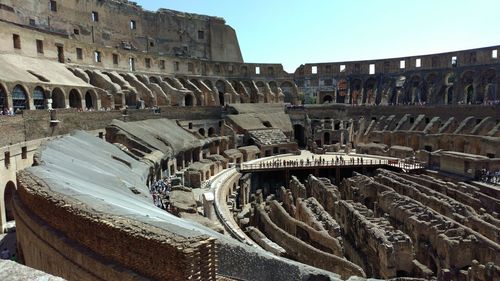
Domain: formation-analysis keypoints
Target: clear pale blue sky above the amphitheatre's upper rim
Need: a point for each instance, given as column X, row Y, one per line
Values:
column 294, row 32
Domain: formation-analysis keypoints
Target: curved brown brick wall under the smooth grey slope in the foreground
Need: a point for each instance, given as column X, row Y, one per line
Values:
column 138, row 247
